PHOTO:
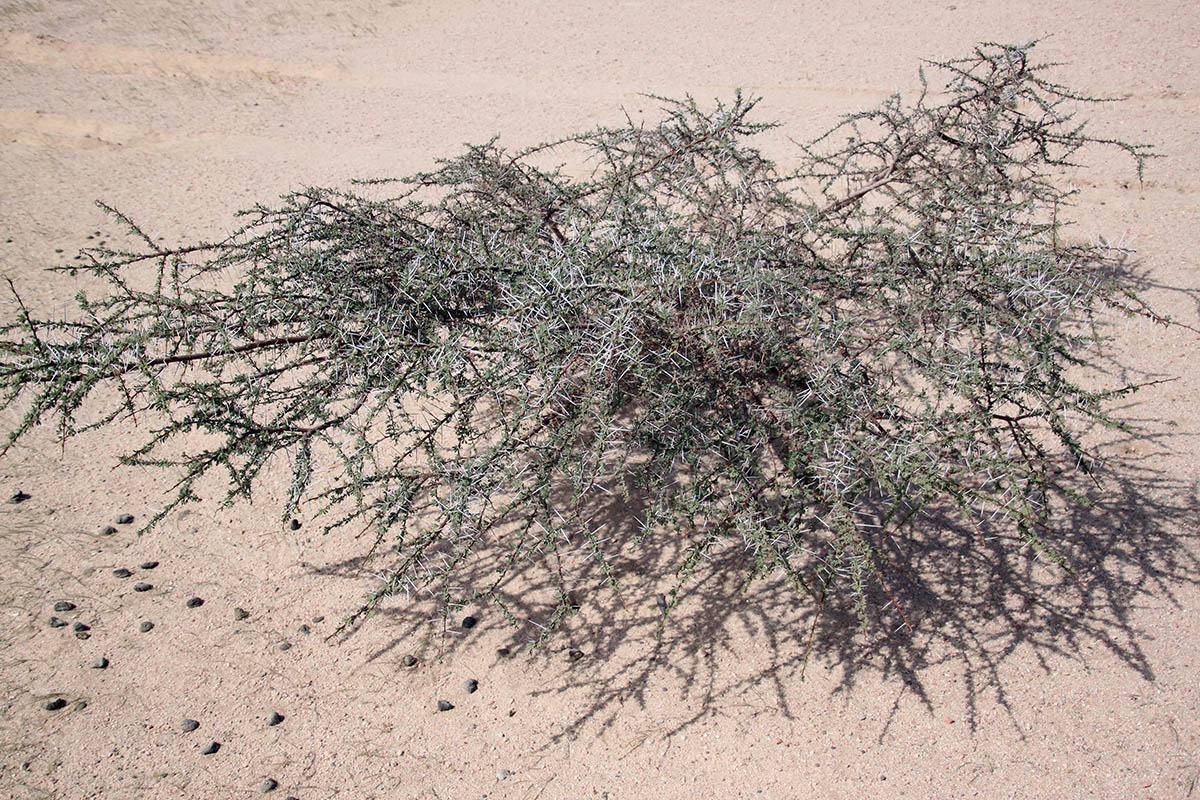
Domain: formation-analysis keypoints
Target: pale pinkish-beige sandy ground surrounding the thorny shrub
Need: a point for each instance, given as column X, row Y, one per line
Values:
column 182, row 116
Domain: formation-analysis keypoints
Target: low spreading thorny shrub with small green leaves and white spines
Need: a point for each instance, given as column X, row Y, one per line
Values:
column 795, row 362
